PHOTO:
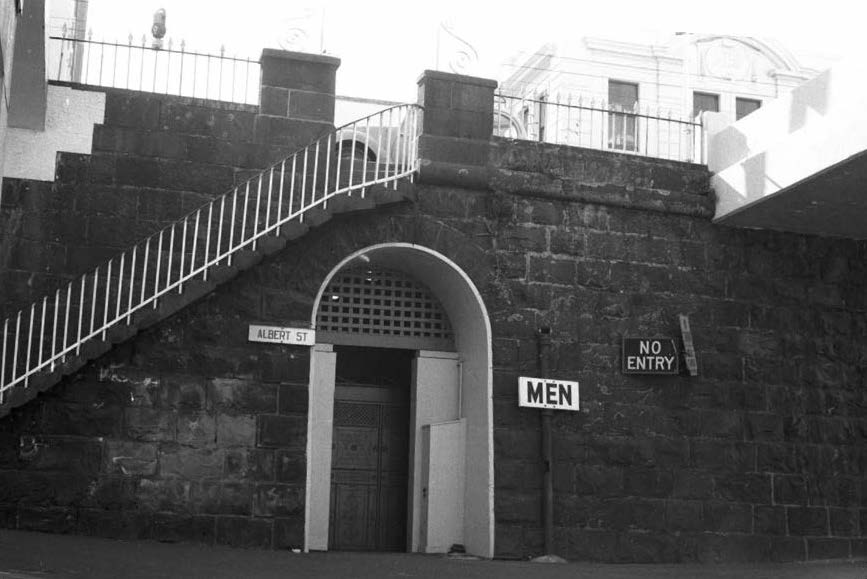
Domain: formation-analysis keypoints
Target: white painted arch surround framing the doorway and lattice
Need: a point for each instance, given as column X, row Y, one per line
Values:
column 472, row 329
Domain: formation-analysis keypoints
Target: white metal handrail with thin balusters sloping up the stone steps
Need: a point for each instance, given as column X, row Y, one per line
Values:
column 340, row 163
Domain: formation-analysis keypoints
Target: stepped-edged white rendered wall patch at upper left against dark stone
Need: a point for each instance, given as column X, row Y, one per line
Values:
column 69, row 121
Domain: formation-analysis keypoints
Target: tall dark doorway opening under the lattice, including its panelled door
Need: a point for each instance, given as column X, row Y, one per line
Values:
column 370, row 449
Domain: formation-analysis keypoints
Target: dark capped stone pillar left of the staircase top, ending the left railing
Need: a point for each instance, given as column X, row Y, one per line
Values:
column 296, row 97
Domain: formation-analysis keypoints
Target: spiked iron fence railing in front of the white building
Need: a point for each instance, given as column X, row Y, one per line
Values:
column 597, row 125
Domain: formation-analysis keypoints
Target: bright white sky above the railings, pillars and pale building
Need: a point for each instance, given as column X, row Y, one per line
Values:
column 385, row 45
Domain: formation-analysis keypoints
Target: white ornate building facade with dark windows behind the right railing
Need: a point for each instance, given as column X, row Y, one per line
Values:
column 642, row 98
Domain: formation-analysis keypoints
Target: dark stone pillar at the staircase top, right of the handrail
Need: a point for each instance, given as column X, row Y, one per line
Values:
column 456, row 128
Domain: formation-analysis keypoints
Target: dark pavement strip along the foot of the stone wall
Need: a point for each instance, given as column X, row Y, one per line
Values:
column 26, row 555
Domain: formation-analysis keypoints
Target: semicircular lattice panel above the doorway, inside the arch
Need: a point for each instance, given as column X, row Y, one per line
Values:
column 381, row 302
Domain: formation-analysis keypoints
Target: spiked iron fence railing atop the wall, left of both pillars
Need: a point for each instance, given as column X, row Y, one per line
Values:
column 165, row 70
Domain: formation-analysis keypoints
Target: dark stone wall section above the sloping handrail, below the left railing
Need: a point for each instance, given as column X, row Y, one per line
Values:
column 155, row 159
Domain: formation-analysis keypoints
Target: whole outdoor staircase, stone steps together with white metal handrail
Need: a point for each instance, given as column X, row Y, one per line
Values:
column 167, row 271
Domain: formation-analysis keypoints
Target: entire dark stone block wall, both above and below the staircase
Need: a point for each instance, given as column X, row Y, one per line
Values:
column 188, row 432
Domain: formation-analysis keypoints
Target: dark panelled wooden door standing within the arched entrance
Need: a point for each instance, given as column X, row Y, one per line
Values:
column 369, row 465
